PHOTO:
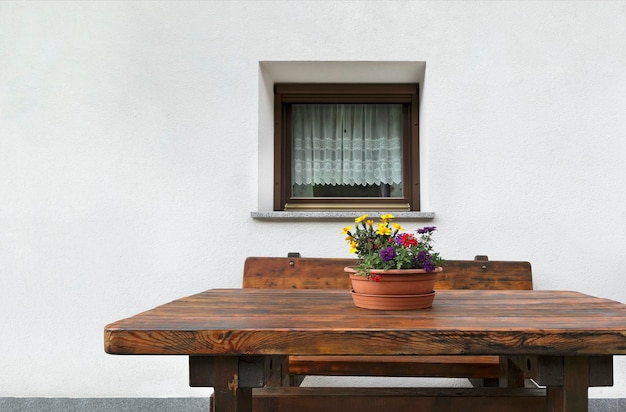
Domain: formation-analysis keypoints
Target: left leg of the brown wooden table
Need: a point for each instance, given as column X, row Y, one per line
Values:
column 229, row 396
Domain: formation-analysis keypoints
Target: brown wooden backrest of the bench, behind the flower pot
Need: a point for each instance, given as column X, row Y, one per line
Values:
column 327, row 273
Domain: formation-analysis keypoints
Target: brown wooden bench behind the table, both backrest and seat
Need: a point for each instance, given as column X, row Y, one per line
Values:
column 327, row 273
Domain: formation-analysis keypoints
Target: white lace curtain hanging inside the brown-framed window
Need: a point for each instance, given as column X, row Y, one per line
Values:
column 347, row 144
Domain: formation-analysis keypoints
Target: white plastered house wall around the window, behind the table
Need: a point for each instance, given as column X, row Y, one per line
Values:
column 129, row 155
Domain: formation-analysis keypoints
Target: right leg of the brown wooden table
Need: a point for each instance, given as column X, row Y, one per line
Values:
column 573, row 394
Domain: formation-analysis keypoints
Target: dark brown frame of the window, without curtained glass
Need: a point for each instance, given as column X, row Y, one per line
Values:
column 287, row 93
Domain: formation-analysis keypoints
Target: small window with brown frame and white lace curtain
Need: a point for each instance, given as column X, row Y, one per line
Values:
column 346, row 146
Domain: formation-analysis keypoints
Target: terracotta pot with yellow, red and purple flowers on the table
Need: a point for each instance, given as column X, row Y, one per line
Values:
column 393, row 265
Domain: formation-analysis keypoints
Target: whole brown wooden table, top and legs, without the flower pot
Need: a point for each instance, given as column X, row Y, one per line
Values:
column 564, row 340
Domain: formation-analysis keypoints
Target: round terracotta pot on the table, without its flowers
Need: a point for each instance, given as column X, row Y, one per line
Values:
column 399, row 289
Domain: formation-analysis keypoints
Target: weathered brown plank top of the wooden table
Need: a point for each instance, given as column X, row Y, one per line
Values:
column 275, row 322
